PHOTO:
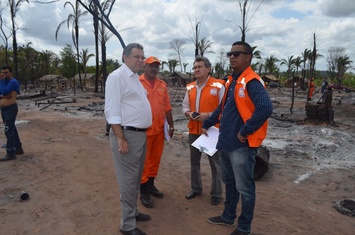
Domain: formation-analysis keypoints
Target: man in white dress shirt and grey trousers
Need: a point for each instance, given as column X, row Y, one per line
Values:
column 128, row 112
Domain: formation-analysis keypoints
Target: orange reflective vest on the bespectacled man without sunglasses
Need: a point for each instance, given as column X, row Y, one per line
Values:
column 208, row 102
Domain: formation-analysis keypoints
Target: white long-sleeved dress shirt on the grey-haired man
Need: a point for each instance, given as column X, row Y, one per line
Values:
column 126, row 101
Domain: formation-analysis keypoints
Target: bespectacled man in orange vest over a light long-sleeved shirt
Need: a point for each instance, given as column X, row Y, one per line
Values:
column 202, row 98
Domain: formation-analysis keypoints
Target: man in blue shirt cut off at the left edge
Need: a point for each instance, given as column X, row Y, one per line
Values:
column 9, row 88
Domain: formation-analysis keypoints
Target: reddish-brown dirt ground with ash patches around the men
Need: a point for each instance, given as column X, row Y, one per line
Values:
column 68, row 172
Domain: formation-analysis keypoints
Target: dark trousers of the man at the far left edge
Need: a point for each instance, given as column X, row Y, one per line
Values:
column 9, row 114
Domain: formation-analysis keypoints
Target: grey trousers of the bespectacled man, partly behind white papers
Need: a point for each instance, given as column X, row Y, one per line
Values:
column 195, row 158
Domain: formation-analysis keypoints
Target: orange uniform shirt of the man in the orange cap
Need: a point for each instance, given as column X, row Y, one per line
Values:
column 159, row 100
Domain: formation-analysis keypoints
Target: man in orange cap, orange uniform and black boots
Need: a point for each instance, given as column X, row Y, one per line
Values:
column 161, row 109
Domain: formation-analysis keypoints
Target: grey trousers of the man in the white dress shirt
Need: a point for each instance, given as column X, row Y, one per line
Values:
column 129, row 168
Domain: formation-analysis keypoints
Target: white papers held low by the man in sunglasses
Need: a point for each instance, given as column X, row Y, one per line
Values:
column 207, row 144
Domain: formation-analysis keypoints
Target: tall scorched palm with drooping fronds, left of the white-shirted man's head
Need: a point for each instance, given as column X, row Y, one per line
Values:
column 73, row 22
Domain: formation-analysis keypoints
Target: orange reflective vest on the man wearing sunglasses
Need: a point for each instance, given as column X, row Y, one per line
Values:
column 245, row 105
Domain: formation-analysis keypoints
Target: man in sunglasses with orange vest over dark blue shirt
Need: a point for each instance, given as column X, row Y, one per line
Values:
column 243, row 115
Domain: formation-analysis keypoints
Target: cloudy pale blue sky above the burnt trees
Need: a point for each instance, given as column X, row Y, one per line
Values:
column 279, row 28
